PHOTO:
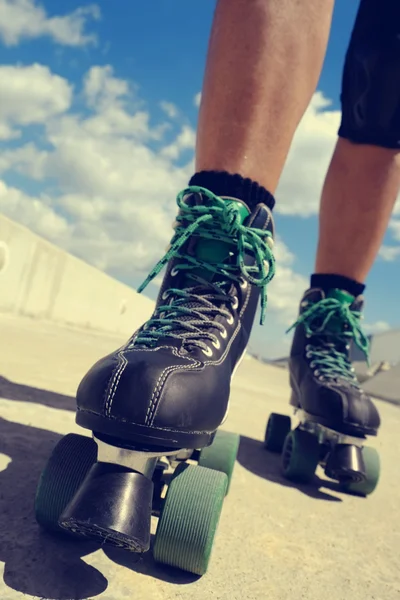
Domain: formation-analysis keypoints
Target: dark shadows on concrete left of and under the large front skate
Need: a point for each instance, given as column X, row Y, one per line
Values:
column 37, row 563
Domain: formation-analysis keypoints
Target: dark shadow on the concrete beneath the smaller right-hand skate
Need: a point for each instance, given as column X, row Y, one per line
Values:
column 253, row 457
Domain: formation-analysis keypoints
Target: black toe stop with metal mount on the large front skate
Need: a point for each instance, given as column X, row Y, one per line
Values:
column 114, row 502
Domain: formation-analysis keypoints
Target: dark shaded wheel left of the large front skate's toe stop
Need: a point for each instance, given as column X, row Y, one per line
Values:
column 65, row 471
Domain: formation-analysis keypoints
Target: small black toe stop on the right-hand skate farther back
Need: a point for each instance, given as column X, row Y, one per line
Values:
column 346, row 464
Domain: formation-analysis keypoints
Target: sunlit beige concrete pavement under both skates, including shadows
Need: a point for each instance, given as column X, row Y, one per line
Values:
column 275, row 541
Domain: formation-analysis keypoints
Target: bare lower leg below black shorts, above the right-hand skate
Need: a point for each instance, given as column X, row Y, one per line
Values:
column 357, row 200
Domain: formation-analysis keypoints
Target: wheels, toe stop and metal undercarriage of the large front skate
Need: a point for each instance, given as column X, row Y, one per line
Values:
column 109, row 492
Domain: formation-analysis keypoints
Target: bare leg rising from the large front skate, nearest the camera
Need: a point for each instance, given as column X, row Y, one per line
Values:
column 264, row 62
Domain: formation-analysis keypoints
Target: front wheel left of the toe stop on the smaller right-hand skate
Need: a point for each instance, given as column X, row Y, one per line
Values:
column 300, row 456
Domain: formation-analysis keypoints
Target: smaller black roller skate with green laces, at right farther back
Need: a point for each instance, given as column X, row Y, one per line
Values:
column 335, row 415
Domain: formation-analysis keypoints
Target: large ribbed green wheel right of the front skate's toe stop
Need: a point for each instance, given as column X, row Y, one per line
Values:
column 189, row 518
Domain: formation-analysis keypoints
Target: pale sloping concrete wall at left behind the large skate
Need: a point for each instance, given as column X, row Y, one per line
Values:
column 41, row 281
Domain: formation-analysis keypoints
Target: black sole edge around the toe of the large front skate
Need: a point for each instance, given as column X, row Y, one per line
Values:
column 140, row 434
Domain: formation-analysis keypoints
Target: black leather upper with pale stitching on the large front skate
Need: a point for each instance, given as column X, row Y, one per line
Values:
column 173, row 385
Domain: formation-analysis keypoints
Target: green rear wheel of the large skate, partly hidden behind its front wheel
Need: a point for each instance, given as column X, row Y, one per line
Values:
column 221, row 455
